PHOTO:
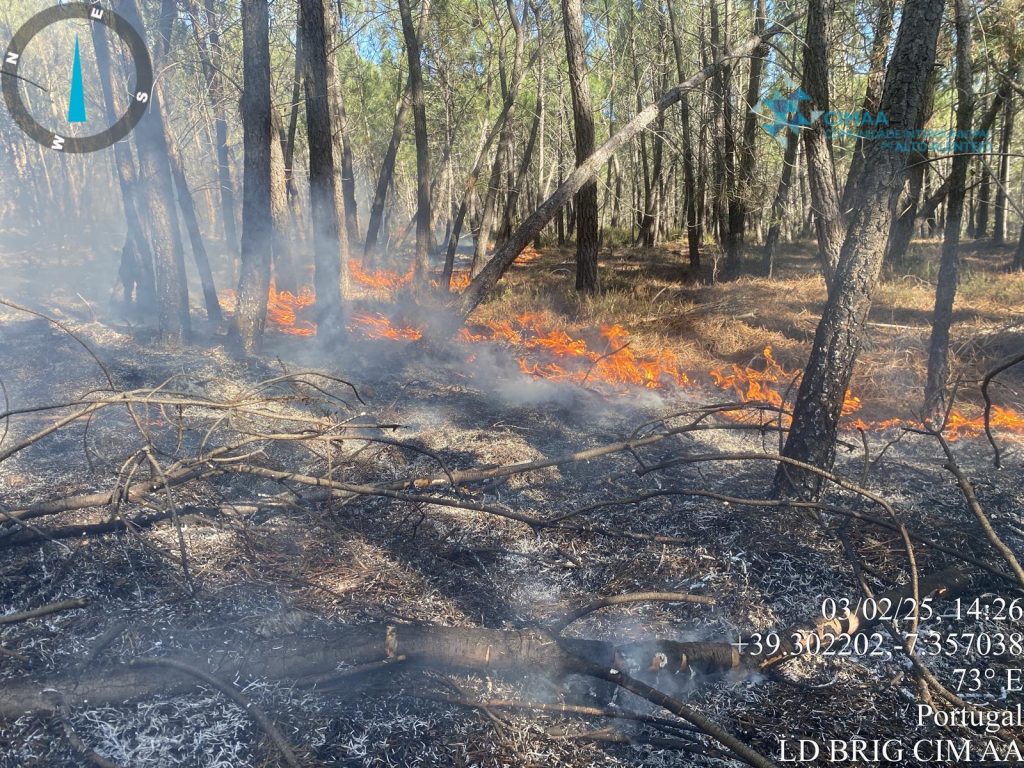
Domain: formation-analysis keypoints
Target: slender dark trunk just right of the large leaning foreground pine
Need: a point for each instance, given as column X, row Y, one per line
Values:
column 946, row 292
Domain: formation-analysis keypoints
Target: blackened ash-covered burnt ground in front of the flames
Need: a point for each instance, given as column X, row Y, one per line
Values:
column 270, row 559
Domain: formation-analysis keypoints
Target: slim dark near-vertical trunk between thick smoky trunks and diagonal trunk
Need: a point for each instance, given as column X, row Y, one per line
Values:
column 423, row 216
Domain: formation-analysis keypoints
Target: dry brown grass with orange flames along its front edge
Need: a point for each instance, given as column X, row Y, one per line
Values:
column 747, row 337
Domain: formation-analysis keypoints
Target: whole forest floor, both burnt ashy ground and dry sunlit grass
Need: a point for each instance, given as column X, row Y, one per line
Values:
column 271, row 560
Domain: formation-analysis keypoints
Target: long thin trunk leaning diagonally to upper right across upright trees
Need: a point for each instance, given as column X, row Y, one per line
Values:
column 504, row 257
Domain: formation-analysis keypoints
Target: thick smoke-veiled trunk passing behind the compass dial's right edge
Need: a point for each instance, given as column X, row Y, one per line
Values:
column 157, row 192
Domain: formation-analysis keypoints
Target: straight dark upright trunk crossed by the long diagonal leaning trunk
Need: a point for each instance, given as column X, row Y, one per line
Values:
column 583, row 119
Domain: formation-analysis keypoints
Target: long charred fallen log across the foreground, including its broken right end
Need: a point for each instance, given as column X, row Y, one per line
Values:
column 484, row 651
